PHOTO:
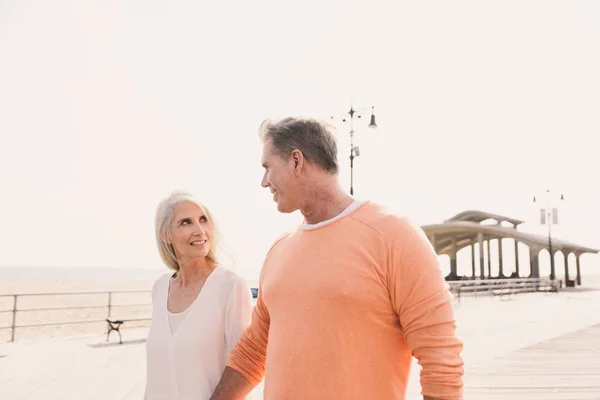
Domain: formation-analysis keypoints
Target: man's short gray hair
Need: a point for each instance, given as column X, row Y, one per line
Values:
column 315, row 139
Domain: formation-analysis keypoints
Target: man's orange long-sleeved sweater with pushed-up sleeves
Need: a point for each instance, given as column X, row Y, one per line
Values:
column 342, row 307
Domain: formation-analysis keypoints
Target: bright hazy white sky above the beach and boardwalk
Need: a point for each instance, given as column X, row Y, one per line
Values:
column 106, row 107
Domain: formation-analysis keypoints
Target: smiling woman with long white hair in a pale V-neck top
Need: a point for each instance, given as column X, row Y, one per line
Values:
column 199, row 311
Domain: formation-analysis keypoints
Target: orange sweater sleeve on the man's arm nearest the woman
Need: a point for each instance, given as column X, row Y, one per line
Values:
column 249, row 355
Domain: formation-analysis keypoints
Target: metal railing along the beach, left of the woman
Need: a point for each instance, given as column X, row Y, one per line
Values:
column 109, row 305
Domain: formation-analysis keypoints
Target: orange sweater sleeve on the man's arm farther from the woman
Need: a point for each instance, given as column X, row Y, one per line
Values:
column 421, row 298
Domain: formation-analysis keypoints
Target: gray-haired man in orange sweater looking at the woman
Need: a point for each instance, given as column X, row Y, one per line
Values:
column 347, row 298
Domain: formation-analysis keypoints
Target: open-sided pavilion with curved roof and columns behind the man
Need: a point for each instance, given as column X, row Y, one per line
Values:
column 470, row 228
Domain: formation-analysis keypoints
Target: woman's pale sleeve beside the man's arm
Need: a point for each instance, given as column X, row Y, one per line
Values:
column 239, row 313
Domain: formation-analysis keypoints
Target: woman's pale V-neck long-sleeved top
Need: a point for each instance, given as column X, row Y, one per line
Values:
column 188, row 363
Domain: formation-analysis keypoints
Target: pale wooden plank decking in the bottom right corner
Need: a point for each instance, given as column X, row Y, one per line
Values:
column 563, row 368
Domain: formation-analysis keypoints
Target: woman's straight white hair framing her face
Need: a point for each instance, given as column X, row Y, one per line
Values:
column 163, row 221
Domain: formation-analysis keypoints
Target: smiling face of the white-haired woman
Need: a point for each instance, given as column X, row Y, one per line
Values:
column 190, row 231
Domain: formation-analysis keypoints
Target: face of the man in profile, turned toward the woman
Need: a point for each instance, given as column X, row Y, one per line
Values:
column 280, row 178
